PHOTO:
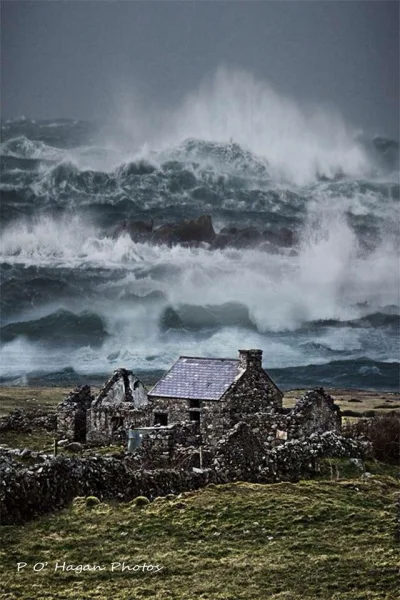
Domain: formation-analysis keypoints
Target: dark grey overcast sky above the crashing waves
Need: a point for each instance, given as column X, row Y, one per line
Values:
column 73, row 58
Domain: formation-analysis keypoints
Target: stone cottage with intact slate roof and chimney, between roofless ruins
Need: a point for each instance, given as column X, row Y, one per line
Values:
column 216, row 393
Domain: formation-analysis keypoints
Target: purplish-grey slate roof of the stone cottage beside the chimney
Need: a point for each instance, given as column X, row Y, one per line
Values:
column 197, row 378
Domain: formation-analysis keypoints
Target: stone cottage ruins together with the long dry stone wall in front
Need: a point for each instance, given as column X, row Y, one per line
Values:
column 206, row 421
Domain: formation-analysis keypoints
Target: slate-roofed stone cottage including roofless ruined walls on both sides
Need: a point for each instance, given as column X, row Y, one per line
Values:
column 196, row 403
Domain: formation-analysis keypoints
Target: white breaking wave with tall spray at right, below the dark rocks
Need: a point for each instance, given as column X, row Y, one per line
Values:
column 329, row 275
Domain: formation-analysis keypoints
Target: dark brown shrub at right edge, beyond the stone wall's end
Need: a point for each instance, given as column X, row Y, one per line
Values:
column 383, row 432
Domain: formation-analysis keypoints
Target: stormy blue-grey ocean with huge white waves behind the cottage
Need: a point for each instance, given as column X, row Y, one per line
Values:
column 78, row 302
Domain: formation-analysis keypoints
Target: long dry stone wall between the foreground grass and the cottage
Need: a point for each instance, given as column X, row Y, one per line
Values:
column 28, row 491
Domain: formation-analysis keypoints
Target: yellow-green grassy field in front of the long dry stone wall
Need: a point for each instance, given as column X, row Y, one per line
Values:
column 310, row 540
